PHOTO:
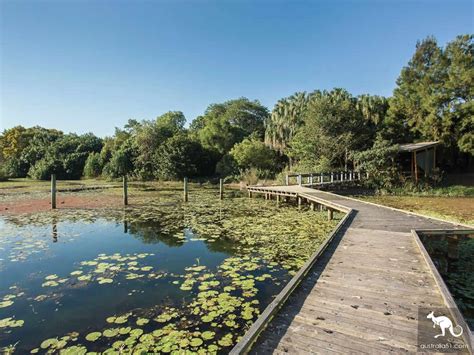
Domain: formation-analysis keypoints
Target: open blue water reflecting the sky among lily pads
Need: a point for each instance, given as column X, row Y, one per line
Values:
column 75, row 307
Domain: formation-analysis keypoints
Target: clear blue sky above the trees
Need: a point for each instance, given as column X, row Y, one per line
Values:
column 84, row 66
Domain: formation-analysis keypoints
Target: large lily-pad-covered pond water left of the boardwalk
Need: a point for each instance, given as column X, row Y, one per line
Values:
column 158, row 276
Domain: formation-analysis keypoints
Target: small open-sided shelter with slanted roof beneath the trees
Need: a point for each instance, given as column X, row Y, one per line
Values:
column 418, row 158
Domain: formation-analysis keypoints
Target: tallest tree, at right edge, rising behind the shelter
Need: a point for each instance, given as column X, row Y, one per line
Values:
column 434, row 95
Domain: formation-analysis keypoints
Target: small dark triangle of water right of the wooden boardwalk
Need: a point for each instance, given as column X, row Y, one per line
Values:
column 453, row 256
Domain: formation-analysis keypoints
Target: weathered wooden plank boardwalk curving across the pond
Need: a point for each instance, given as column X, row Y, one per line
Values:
column 363, row 294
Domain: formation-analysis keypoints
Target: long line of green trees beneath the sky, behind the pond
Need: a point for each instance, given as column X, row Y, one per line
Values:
column 318, row 131
